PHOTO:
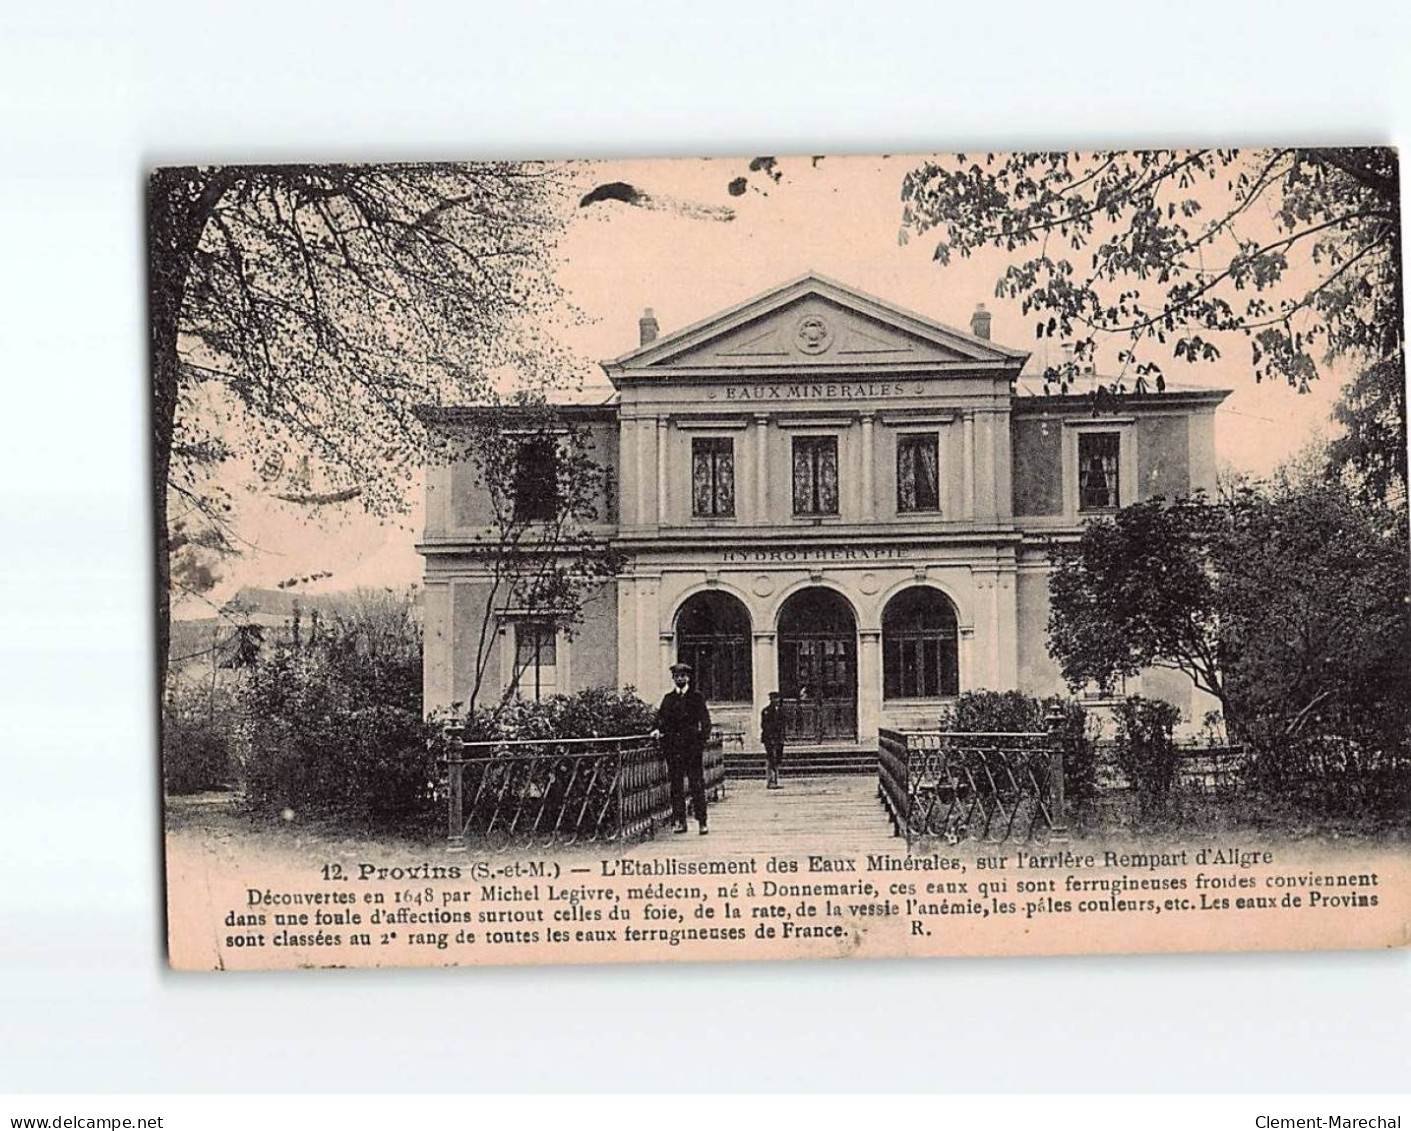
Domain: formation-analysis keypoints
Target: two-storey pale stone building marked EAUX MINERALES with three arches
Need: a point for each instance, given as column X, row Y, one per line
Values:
column 823, row 494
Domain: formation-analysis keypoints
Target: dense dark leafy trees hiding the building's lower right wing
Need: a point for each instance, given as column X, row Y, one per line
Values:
column 1288, row 603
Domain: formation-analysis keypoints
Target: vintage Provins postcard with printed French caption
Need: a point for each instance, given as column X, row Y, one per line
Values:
column 782, row 558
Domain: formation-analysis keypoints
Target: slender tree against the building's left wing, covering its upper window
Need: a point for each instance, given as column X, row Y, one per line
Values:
column 540, row 552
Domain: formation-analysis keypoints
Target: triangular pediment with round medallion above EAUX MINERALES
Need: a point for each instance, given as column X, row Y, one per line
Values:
column 812, row 324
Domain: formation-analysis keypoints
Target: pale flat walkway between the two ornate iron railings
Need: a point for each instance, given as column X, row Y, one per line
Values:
column 818, row 814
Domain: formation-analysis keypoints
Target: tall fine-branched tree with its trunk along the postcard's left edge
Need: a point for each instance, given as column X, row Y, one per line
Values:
column 301, row 314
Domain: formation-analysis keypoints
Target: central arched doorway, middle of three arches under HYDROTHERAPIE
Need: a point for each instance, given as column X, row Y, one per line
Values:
column 819, row 668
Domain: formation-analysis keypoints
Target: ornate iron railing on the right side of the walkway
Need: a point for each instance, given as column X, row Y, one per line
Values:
column 973, row 786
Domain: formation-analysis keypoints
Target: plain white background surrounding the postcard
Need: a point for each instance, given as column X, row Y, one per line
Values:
column 94, row 94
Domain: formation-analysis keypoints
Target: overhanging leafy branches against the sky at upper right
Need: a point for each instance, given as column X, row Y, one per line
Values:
column 1170, row 252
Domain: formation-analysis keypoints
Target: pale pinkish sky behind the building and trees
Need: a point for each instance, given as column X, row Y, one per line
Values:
column 692, row 247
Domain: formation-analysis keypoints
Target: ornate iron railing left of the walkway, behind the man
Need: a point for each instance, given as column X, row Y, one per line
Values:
column 555, row 792
